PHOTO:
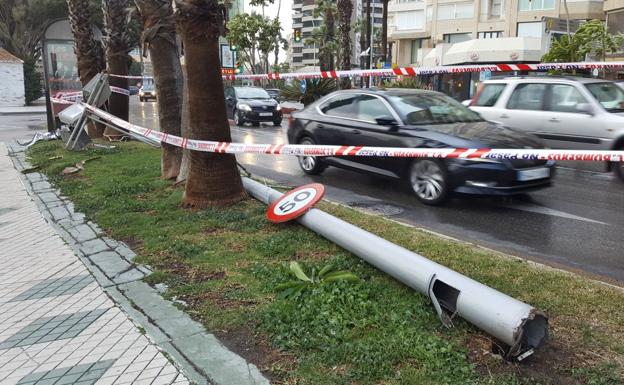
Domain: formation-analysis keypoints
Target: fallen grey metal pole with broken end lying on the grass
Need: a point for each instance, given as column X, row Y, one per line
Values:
column 518, row 325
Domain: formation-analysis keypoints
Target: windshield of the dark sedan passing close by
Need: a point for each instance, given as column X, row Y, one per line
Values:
column 429, row 108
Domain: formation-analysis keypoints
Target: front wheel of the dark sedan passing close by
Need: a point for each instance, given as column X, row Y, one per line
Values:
column 428, row 179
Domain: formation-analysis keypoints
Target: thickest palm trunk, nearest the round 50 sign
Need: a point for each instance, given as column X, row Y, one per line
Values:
column 213, row 179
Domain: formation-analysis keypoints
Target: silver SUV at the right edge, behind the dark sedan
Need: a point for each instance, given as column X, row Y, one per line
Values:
column 568, row 113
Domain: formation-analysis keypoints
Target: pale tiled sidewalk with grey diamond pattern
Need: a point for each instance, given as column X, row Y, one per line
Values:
column 57, row 325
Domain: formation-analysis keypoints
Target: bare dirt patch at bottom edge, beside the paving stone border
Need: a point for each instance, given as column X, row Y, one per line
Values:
column 255, row 348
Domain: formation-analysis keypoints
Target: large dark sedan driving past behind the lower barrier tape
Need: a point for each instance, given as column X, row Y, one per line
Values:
column 417, row 119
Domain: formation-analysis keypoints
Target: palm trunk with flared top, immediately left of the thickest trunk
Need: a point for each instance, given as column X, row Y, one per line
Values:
column 159, row 38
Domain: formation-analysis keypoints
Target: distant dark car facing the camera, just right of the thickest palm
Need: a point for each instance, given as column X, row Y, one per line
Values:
column 252, row 104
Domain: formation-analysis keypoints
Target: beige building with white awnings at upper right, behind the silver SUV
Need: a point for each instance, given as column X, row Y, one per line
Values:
column 445, row 32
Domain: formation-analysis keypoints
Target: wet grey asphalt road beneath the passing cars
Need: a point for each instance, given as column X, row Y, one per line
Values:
column 575, row 225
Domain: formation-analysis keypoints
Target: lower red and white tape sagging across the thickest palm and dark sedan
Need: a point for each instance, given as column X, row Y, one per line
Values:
column 317, row 150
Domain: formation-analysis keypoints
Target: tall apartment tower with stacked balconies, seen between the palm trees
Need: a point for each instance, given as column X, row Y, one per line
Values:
column 306, row 56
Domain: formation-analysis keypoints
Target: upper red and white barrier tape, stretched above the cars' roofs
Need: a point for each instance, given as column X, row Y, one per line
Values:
column 416, row 71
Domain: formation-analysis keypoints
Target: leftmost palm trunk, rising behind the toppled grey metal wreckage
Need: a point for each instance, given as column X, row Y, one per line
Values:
column 86, row 49
